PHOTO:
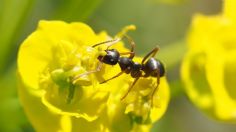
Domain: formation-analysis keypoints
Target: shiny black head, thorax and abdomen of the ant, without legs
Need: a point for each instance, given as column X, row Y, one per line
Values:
column 152, row 67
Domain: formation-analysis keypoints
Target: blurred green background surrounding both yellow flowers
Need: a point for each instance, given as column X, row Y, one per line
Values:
column 159, row 22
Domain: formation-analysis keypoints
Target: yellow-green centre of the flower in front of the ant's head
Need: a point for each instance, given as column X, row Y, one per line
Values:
column 68, row 62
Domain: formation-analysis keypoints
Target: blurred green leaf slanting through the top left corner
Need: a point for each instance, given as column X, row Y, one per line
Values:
column 12, row 14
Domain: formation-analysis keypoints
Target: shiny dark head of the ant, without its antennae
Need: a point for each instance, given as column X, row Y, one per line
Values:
column 111, row 57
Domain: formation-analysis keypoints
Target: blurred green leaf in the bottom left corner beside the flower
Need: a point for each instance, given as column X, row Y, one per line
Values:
column 12, row 115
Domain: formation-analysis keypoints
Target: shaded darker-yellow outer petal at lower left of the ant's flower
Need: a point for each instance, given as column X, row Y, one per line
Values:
column 39, row 116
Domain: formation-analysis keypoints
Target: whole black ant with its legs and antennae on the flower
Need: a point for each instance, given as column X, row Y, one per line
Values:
column 148, row 67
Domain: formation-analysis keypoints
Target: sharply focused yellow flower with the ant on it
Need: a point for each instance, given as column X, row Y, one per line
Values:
column 55, row 99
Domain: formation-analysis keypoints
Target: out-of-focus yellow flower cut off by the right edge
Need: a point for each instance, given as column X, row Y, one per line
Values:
column 208, row 69
